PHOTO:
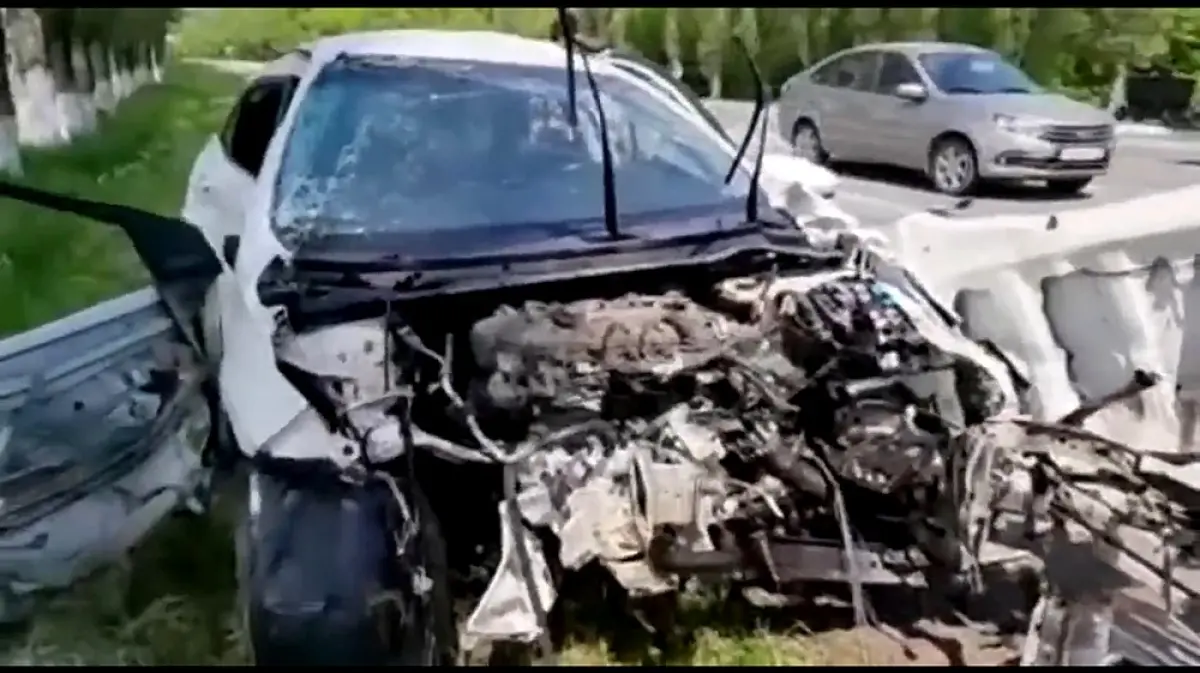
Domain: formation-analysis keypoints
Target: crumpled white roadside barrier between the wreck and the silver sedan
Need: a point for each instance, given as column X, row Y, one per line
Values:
column 1079, row 302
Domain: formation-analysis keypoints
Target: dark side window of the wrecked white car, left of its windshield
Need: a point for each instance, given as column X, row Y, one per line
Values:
column 254, row 119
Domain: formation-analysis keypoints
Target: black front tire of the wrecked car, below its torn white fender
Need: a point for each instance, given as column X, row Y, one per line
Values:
column 314, row 567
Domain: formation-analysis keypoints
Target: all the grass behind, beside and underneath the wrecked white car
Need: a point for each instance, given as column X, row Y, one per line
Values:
column 172, row 602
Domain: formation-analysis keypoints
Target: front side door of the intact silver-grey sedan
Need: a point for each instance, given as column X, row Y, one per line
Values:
column 903, row 128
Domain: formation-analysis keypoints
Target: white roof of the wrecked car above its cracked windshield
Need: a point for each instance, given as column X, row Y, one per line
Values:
column 448, row 45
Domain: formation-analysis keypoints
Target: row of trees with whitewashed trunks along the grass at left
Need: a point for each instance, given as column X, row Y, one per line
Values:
column 65, row 67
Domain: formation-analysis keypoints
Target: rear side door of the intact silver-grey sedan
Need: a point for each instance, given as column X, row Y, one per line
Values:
column 841, row 98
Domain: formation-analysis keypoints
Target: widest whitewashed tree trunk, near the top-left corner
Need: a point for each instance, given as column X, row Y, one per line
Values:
column 35, row 93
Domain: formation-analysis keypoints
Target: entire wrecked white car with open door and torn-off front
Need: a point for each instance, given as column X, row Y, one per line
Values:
column 482, row 315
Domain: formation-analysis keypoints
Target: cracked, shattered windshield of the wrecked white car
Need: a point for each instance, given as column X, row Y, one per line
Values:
column 389, row 147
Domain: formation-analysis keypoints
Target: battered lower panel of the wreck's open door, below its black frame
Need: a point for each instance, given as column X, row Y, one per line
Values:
column 105, row 430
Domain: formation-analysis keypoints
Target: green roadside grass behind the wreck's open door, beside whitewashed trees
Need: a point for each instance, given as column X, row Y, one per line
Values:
column 52, row 265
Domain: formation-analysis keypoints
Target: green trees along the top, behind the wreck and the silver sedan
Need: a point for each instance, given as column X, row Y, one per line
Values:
column 1078, row 50
